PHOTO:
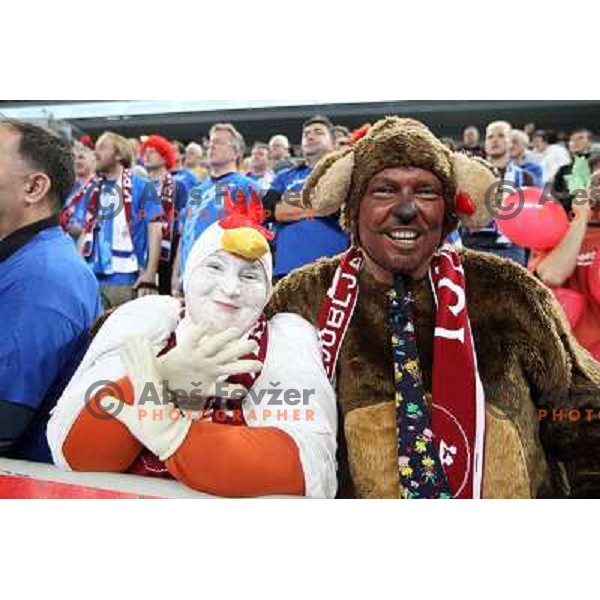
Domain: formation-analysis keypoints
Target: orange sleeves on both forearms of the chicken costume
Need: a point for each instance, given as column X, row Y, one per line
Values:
column 214, row 458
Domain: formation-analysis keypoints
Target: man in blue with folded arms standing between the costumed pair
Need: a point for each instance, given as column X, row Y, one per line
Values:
column 301, row 237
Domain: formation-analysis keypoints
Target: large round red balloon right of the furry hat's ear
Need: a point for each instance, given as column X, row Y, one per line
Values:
column 532, row 223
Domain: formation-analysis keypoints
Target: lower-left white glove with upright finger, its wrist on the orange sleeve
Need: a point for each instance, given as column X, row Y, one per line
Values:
column 159, row 427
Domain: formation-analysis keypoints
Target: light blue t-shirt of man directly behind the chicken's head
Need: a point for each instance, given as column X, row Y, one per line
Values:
column 206, row 204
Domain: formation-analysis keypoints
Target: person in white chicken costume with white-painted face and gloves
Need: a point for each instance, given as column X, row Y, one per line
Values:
column 229, row 446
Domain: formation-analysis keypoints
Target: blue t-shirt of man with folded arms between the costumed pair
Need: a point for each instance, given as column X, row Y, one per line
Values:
column 302, row 242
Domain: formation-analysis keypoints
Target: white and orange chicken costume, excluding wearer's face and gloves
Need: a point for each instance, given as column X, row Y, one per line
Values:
column 277, row 447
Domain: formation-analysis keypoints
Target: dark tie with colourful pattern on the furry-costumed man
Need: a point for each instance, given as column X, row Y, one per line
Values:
column 421, row 472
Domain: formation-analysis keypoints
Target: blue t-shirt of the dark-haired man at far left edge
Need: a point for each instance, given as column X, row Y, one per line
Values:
column 49, row 299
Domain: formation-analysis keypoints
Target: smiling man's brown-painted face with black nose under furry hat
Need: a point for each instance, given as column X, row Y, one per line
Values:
column 400, row 221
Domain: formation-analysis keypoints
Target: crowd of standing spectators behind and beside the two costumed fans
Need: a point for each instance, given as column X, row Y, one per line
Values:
column 133, row 208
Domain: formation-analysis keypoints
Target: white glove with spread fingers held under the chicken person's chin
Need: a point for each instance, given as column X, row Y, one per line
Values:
column 200, row 361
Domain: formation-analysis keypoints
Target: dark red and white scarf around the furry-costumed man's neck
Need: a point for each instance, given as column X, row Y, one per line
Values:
column 458, row 408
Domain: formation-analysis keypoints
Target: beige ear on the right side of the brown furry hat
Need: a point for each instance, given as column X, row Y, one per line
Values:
column 474, row 178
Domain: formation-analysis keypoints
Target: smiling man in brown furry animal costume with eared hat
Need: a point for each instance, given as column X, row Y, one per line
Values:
column 397, row 188
